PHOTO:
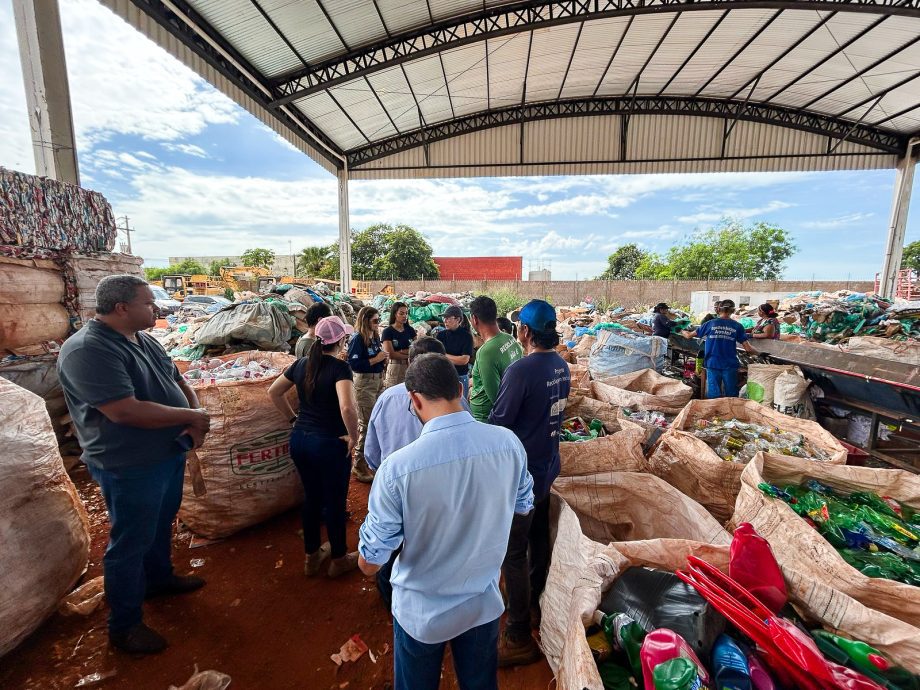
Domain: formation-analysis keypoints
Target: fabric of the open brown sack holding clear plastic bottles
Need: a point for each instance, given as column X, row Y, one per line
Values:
column 688, row 463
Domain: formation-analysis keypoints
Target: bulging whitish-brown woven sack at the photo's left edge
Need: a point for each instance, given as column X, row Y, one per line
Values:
column 44, row 530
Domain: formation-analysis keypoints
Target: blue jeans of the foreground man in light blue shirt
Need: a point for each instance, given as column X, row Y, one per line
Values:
column 417, row 666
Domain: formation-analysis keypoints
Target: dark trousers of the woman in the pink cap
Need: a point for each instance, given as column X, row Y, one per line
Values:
column 325, row 469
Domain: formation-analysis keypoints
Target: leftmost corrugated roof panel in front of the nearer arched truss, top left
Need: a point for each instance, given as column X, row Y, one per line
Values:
column 246, row 30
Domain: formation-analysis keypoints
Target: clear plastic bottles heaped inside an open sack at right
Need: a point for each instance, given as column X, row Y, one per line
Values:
column 736, row 441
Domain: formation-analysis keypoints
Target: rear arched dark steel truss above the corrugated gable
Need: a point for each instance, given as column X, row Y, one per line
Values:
column 752, row 111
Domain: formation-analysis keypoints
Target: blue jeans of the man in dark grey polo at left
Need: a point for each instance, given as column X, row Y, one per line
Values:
column 142, row 502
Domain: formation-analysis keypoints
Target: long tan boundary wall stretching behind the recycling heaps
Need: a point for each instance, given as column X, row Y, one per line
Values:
column 628, row 293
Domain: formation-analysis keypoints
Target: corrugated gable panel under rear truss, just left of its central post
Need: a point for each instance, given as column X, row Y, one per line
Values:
column 572, row 139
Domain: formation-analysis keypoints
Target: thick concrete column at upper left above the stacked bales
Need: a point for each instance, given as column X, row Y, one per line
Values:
column 44, row 70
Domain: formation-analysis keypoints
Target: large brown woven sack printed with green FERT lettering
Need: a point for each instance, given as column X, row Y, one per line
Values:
column 245, row 461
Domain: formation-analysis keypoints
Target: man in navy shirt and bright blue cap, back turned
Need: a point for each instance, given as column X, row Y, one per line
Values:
column 530, row 402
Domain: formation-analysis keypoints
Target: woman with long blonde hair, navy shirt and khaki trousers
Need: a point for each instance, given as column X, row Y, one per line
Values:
column 368, row 360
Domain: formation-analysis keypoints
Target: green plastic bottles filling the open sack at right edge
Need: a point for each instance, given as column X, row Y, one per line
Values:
column 877, row 535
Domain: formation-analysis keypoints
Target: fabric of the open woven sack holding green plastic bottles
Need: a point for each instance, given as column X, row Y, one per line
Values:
column 801, row 547
